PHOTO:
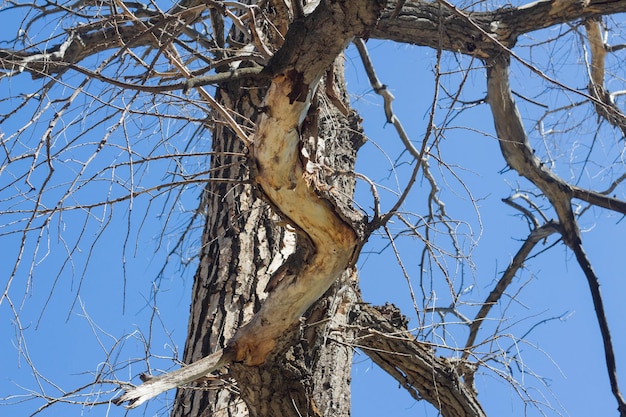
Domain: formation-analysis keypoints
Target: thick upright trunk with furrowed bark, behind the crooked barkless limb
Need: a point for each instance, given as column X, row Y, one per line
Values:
column 243, row 245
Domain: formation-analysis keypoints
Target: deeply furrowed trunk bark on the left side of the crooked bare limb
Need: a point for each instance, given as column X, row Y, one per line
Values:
column 240, row 243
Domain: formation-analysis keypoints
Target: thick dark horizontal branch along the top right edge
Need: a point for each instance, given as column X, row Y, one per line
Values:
column 419, row 22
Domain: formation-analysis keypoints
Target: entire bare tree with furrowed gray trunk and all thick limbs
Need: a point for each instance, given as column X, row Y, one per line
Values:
column 276, row 311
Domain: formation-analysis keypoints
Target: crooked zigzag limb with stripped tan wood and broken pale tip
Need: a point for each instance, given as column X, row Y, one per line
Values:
column 331, row 244
